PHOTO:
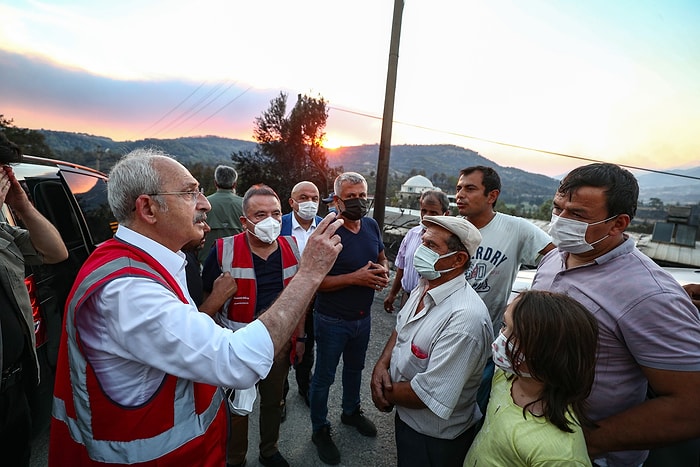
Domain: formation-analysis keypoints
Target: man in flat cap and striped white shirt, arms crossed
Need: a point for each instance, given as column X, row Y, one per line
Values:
column 431, row 366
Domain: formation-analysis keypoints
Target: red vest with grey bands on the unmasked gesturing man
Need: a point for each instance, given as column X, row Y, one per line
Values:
column 184, row 423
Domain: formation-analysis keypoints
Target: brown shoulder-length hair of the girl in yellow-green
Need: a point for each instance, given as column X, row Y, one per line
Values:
column 557, row 337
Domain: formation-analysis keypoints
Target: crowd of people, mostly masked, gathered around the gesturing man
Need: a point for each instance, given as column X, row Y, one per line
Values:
column 198, row 304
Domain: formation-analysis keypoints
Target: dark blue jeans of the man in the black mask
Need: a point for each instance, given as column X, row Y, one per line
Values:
column 335, row 337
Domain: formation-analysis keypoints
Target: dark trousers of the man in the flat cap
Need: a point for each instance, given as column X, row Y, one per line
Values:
column 415, row 449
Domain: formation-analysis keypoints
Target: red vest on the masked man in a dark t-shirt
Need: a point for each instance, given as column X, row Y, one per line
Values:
column 234, row 256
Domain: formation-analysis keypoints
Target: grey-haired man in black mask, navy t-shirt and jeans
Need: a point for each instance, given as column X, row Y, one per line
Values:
column 342, row 319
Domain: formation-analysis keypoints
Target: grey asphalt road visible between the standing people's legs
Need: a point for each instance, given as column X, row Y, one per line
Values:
column 295, row 433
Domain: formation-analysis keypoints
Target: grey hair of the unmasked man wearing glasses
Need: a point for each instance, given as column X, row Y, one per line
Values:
column 131, row 177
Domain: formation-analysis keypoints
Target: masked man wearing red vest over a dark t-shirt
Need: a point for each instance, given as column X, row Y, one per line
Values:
column 262, row 264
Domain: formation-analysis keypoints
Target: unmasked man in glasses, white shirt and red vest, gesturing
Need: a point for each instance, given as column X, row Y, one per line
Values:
column 139, row 366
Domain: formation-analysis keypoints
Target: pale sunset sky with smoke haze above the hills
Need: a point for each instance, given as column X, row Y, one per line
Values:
column 609, row 80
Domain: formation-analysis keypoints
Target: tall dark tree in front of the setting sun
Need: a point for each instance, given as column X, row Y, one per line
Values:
column 290, row 148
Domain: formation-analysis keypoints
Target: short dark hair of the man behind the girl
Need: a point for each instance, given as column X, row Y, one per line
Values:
column 621, row 188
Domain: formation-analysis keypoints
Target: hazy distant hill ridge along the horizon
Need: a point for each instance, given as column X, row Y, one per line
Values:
column 518, row 185
